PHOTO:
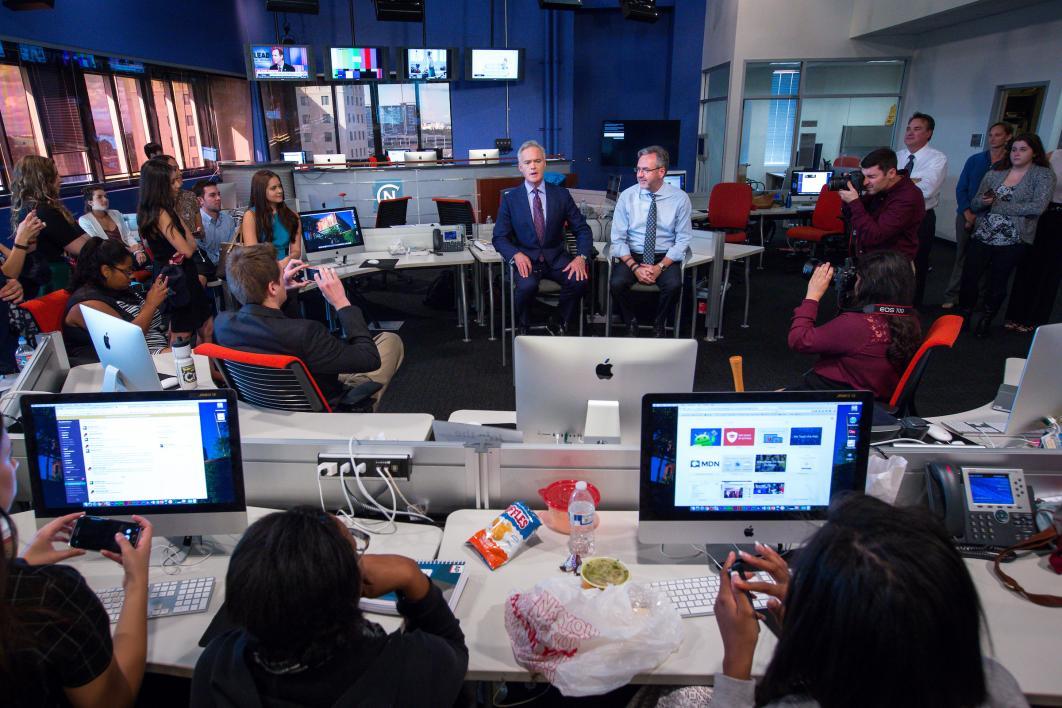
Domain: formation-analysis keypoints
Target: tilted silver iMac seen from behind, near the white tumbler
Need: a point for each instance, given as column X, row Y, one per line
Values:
column 124, row 353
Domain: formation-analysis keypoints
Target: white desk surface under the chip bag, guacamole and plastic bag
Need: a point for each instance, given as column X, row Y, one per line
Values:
column 1025, row 637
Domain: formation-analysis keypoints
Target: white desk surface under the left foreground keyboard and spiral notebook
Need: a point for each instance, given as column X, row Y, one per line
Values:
column 174, row 642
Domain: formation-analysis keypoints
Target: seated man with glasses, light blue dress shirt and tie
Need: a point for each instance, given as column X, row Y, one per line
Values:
column 652, row 231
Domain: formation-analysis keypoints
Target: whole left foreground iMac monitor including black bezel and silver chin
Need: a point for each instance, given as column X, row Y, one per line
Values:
column 172, row 457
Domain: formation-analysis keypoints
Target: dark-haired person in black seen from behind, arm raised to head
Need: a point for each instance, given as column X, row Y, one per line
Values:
column 293, row 588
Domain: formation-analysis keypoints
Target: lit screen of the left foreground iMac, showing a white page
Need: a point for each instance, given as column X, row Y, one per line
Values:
column 104, row 456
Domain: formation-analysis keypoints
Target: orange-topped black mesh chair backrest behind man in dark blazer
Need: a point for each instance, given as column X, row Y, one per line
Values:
column 275, row 382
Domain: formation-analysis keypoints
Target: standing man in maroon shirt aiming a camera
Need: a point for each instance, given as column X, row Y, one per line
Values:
column 888, row 215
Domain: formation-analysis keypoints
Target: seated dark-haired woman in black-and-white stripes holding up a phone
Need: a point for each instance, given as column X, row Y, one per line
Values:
column 101, row 282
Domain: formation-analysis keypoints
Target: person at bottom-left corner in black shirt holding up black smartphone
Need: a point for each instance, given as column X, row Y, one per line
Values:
column 56, row 648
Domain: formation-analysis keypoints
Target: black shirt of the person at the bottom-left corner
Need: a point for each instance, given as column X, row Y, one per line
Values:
column 64, row 635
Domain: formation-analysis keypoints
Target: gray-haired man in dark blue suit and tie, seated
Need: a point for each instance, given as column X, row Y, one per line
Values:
column 530, row 235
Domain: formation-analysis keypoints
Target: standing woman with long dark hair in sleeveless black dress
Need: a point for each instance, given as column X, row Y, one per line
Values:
column 173, row 246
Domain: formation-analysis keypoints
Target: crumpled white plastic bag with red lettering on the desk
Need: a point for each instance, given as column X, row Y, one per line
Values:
column 588, row 643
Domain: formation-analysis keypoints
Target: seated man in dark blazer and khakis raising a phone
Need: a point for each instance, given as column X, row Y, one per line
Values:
column 256, row 281
